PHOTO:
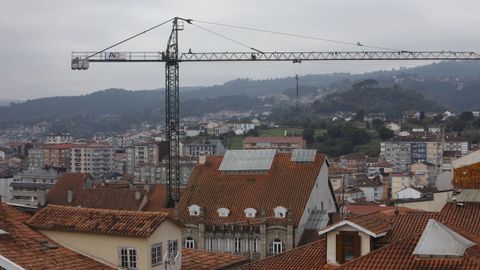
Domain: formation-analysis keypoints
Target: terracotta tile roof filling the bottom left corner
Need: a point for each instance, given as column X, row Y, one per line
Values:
column 25, row 247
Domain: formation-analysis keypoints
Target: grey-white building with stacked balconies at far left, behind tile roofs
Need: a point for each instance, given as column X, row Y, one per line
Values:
column 28, row 187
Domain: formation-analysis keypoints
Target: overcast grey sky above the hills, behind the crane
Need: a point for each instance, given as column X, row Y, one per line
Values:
column 37, row 38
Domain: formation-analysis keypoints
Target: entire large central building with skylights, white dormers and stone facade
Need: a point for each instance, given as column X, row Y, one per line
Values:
column 243, row 203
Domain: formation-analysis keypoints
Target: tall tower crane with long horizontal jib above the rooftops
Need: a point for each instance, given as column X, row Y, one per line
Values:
column 172, row 58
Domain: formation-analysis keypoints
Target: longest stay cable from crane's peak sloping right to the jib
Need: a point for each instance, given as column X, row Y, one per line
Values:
column 357, row 44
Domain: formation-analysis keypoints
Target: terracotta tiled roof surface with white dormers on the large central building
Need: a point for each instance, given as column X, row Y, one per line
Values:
column 286, row 184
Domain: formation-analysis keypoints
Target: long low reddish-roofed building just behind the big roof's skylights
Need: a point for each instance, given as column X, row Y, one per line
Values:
column 282, row 144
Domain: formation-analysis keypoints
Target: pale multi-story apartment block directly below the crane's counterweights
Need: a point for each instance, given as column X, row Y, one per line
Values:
column 95, row 159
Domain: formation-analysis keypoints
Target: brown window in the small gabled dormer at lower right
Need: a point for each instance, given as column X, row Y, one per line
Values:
column 348, row 246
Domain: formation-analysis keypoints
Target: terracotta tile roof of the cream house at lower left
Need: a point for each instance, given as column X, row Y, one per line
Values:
column 89, row 220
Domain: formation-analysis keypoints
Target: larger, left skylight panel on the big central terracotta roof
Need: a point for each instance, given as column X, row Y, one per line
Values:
column 247, row 160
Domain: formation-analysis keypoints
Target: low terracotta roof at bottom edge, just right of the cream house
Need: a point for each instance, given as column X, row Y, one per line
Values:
column 194, row 259
